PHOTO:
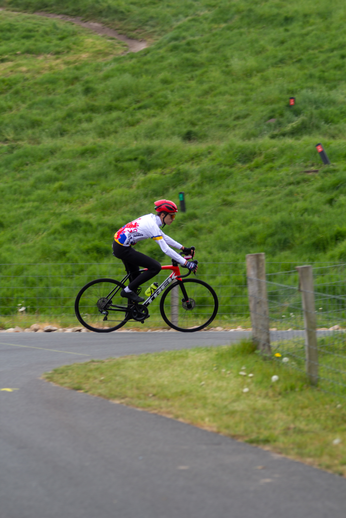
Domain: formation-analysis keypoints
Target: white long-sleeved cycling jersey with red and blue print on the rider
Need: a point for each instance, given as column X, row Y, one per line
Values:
column 148, row 227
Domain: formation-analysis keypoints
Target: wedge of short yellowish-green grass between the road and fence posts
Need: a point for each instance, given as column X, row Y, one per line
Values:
column 207, row 387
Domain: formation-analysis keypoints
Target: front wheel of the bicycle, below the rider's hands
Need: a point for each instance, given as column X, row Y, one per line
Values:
column 189, row 305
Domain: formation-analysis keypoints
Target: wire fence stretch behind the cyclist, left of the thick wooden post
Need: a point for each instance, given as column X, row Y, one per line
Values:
column 47, row 291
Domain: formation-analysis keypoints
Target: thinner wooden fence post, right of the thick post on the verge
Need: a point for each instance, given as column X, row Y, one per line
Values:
column 306, row 287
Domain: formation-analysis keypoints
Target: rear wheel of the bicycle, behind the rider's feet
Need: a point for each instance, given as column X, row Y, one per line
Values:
column 99, row 306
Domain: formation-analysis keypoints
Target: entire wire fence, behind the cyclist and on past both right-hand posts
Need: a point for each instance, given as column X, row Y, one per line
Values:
column 31, row 293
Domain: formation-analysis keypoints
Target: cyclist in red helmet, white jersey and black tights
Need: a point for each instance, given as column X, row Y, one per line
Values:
column 148, row 227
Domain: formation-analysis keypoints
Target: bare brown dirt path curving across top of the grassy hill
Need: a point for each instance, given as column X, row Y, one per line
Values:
column 102, row 30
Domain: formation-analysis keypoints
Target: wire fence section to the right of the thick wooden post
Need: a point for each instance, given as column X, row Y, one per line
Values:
column 292, row 327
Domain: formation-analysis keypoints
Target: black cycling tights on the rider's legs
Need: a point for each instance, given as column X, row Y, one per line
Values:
column 132, row 261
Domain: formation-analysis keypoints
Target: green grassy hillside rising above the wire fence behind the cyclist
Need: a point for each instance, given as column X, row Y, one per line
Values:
column 90, row 136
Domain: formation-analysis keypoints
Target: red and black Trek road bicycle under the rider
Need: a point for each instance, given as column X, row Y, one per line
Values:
column 192, row 306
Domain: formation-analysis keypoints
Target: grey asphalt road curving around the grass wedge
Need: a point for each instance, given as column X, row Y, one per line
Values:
column 65, row 454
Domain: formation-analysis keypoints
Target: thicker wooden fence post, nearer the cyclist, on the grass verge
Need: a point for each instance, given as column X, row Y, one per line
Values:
column 258, row 302
